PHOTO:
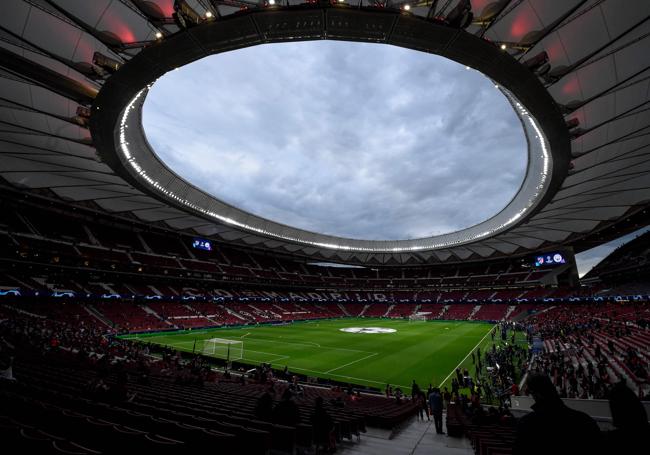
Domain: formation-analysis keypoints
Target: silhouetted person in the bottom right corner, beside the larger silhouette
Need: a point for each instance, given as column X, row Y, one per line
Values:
column 631, row 422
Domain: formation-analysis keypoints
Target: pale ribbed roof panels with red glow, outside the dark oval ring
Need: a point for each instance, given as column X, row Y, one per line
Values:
column 599, row 76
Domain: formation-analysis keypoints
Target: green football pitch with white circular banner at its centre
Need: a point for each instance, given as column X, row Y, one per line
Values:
column 369, row 352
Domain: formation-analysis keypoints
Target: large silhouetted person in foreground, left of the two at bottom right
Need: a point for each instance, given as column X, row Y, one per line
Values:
column 552, row 427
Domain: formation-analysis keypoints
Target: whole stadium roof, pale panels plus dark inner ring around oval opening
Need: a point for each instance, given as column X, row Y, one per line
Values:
column 586, row 61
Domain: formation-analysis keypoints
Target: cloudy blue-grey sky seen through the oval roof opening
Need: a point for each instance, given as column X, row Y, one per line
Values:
column 357, row 140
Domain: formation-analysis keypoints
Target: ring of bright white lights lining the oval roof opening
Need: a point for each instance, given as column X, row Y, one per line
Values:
column 144, row 168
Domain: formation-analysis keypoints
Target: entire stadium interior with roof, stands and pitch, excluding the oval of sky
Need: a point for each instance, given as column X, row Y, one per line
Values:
column 138, row 311
